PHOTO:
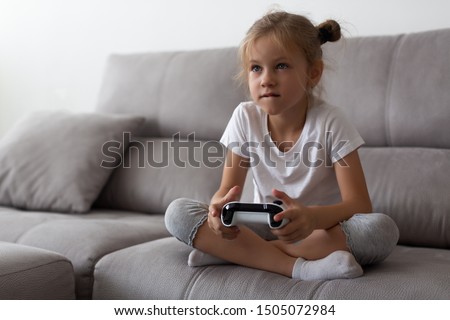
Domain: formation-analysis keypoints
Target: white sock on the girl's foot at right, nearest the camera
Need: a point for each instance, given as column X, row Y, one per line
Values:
column 337, row 265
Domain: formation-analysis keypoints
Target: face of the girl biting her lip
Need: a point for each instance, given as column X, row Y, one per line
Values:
column 277, row 80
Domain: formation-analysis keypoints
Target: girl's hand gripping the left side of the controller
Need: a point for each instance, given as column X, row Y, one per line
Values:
column 215, row 209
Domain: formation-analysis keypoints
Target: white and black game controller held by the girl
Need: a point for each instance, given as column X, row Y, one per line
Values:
column 234, row 213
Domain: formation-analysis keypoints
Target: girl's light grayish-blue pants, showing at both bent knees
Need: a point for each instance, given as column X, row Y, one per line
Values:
column 370, row 237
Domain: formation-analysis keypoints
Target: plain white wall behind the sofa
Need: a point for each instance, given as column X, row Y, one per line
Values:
column 52, row 52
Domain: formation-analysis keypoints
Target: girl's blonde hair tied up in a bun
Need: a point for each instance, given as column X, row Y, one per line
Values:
column 293, row 32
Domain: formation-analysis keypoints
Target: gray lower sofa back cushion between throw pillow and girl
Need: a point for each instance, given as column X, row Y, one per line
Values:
column 155, row 171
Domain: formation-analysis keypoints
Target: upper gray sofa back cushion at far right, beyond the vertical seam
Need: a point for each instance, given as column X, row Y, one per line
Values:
column 419, row 106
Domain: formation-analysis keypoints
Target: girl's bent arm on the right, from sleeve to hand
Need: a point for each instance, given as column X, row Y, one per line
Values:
column 355, row 199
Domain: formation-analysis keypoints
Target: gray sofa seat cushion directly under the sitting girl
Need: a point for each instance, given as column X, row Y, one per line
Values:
column 124, row 275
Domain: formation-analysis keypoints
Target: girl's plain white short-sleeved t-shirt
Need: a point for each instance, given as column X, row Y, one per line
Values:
column 305, row 172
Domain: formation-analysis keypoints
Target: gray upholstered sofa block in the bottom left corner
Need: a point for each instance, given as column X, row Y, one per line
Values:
column 32, row 273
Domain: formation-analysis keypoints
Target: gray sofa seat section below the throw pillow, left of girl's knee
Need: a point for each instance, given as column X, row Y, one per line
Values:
column 83, row 238
